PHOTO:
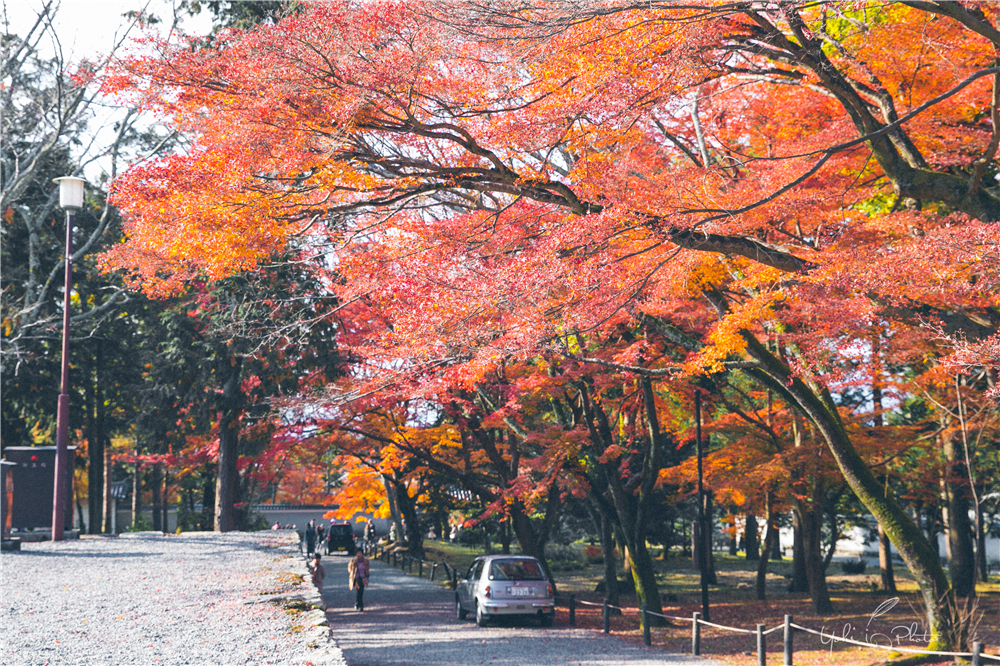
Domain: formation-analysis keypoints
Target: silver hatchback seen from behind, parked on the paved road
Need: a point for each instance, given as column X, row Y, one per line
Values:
column 505, row 585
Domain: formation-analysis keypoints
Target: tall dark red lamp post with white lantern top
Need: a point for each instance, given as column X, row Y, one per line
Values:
column 70, row 199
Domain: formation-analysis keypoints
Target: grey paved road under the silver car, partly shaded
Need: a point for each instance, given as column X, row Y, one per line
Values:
column 409, row 621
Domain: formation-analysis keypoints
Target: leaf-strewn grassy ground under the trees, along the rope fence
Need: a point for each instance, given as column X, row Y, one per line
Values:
column 855, row 599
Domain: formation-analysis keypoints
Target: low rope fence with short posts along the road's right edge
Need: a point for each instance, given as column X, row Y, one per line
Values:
column 406, row 563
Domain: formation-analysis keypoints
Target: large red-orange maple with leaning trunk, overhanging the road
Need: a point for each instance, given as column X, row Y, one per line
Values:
column 761, row 183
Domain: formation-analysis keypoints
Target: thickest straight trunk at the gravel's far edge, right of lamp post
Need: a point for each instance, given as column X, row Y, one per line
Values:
column 227, row 483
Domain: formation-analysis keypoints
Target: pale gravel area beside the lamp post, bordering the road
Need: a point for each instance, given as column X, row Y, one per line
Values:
column 148, row 599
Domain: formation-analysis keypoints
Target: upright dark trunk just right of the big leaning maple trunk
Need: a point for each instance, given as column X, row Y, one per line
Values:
column 962, row 564
